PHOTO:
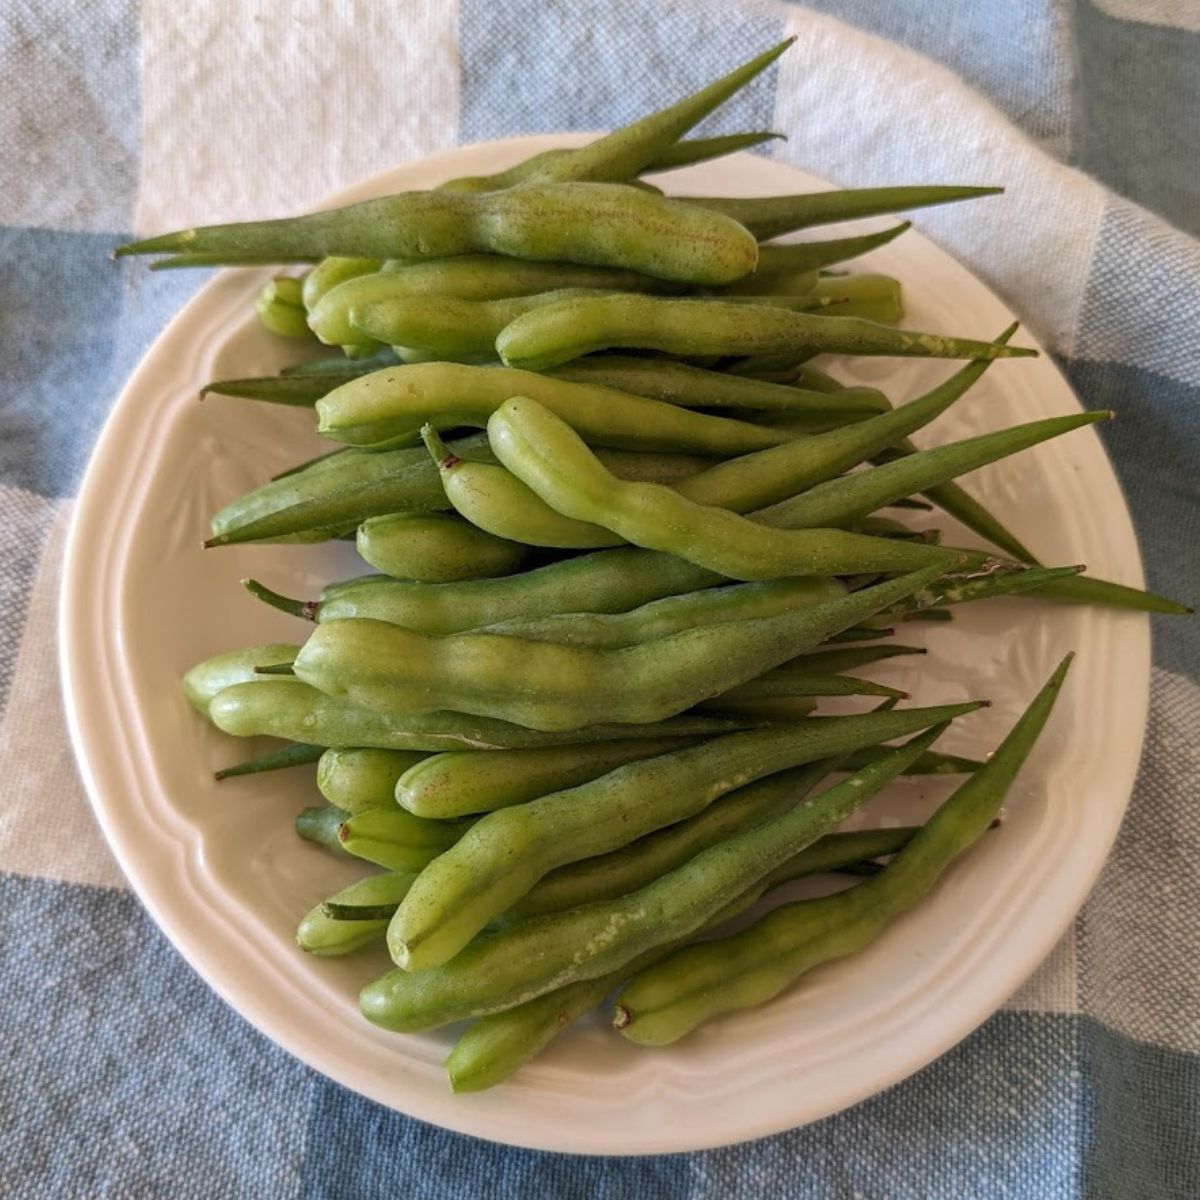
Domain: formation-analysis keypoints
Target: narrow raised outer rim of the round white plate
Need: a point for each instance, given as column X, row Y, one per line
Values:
column 463, row 1117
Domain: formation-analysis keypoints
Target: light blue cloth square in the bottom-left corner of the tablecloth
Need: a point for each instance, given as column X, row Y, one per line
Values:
column 131, row 1077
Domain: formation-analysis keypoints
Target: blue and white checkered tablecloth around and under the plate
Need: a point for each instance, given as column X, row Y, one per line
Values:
column 121, row 1075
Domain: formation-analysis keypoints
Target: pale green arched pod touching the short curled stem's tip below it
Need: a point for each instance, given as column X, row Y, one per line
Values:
column 392, row 406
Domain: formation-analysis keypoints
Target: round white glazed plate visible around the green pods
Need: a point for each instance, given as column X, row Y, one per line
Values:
column 221, row 872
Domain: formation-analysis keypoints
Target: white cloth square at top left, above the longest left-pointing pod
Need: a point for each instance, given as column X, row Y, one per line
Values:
column 230, row 137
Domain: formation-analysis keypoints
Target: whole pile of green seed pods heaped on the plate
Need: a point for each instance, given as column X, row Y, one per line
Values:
column 627, row 538
